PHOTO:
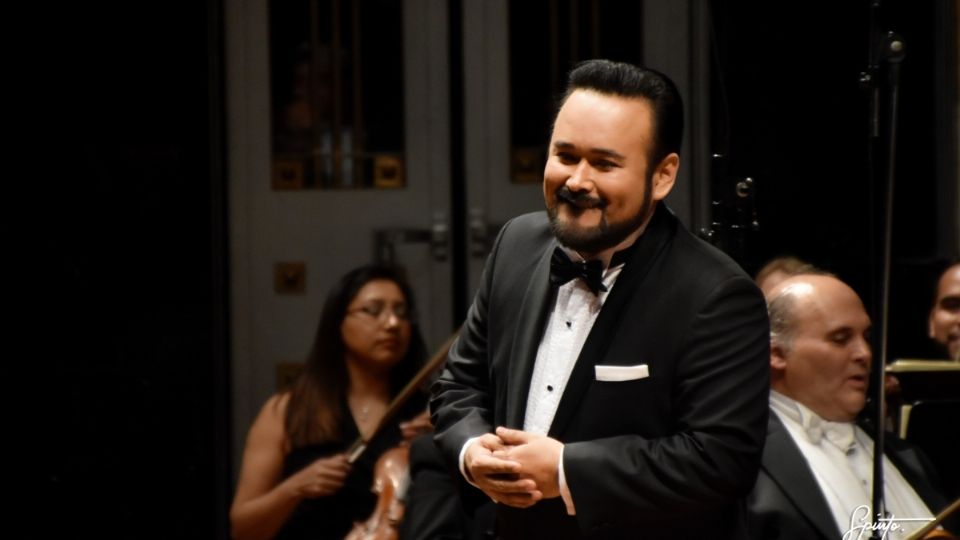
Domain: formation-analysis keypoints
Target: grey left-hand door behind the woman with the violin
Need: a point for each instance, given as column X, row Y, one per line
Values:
column 329, row 230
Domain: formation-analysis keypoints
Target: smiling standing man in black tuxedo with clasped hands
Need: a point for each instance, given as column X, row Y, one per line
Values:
column 610, row 380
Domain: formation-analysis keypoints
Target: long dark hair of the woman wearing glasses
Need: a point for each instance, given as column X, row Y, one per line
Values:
column 317, row 395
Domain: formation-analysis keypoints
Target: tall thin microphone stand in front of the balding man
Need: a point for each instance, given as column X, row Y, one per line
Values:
column 890, row 48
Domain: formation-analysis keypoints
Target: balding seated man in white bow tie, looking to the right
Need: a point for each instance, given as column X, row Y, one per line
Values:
column 816, row 474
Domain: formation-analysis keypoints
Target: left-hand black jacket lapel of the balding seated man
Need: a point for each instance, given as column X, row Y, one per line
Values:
column 786, row 465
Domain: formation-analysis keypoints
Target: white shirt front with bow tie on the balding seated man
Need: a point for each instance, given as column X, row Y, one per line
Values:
column 841, row 457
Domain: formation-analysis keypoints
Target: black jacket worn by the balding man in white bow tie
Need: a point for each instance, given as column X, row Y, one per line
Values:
column 787, row 504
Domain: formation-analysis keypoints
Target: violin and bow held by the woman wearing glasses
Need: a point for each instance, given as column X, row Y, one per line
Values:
column 391, row 474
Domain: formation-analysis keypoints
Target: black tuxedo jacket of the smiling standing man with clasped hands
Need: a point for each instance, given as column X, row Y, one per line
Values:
column 666, row 456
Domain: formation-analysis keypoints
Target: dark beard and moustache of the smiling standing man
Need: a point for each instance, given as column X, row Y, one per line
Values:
column 593, row 240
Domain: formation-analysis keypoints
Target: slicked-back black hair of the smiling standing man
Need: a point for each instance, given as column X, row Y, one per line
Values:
column 627, row 80
